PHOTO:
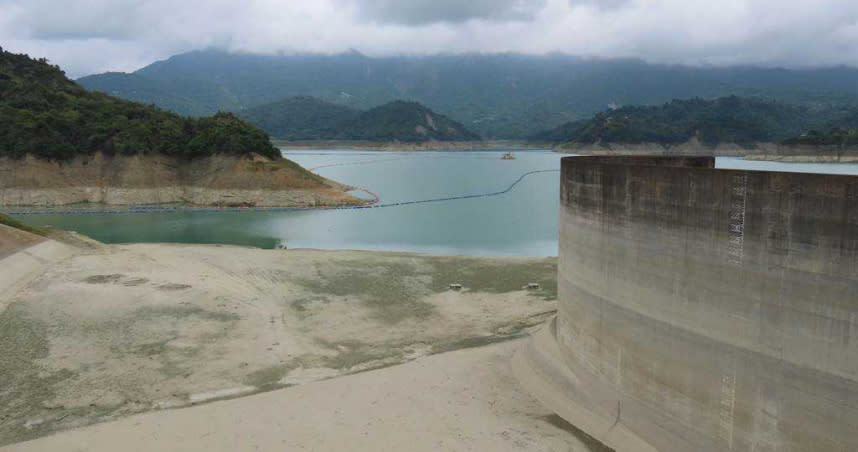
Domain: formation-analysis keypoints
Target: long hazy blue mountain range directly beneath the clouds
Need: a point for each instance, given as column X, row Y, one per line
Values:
column 497, row 95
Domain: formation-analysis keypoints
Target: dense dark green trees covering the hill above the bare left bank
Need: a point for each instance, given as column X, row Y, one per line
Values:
column 45, row 114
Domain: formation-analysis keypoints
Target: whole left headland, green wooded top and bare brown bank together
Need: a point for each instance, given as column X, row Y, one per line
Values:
column 61, row 144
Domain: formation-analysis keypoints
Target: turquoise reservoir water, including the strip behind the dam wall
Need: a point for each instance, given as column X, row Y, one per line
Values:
column 521, row 222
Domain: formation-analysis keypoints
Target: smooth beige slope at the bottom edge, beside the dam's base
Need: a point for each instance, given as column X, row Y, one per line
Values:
column 456, row 401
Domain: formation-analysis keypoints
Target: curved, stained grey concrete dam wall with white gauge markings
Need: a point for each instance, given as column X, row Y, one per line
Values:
column 702, row 309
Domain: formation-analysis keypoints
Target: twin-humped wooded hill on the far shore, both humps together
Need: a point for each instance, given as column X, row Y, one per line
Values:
column 305, row 118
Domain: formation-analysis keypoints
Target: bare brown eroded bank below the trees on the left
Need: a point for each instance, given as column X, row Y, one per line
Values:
column 156, row 178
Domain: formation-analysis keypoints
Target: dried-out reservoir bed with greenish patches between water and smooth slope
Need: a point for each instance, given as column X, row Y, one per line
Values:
column 119, row 330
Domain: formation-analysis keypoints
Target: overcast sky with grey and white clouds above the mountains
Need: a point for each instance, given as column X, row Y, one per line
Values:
column 89, row 36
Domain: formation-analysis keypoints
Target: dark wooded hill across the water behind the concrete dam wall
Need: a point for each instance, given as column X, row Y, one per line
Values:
column 732, row 119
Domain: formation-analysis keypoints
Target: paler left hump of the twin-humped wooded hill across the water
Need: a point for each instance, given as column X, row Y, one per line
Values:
column 300, row 118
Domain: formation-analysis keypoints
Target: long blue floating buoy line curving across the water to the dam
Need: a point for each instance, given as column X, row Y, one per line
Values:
column 376, row 205
